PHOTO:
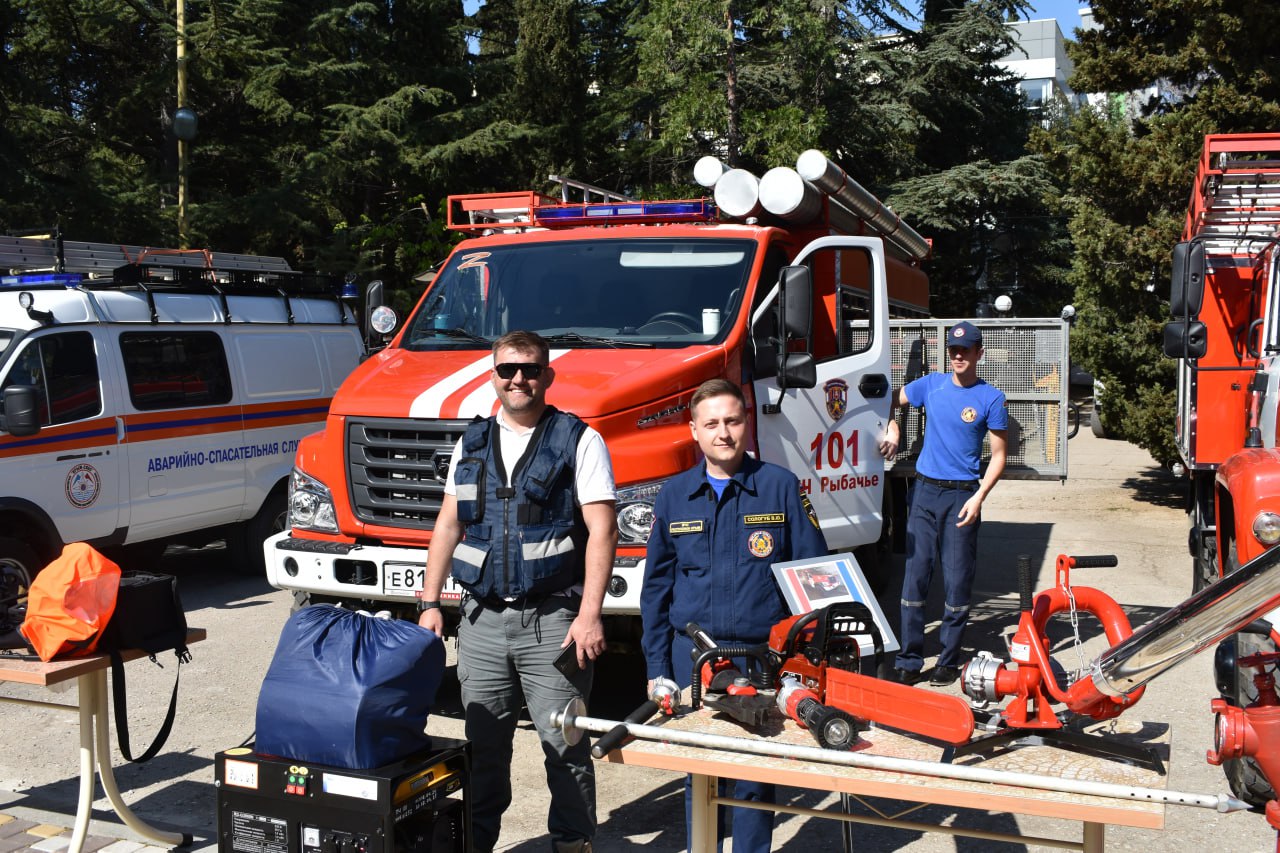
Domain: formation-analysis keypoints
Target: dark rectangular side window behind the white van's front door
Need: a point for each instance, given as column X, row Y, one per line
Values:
column 176, row 370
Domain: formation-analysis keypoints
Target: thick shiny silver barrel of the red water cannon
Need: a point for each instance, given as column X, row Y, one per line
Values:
column 1185, row 631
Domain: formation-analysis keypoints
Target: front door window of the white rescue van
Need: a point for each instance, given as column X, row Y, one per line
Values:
column 63, row 371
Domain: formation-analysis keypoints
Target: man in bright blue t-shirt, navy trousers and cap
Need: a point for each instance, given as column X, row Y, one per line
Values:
column 947, row 501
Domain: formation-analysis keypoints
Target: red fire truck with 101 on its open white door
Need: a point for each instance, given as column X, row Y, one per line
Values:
column 642, row 302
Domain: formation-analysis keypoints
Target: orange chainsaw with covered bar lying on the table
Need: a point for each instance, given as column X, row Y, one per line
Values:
column 821, row 651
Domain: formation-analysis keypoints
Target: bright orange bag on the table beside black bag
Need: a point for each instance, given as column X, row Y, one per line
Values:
column 71, row 603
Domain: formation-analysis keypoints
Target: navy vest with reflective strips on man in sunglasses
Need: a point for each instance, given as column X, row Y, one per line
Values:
column 529, row 539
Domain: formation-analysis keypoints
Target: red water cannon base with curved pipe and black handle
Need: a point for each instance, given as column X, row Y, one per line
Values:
column 1039, row 682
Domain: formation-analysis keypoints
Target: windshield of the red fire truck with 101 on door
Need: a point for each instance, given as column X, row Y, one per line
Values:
column 600, row 293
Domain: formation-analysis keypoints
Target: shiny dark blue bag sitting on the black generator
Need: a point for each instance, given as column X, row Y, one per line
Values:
column 348, row 690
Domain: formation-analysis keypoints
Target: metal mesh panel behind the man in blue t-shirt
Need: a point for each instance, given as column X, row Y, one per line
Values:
column 1027, row 359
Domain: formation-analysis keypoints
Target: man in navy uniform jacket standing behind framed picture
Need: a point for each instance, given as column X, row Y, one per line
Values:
column 717, row 531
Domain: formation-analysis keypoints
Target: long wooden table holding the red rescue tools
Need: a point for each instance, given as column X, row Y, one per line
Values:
column 707, row 767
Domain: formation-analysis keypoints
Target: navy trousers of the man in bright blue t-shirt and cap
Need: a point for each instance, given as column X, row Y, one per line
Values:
column 932, row 536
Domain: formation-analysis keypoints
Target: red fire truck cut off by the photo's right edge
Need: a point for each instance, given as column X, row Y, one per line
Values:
column 1226, row 337
